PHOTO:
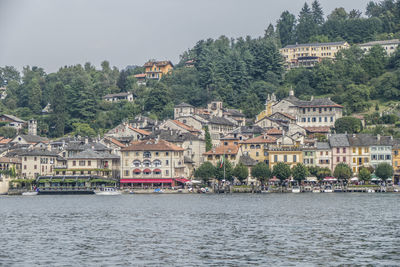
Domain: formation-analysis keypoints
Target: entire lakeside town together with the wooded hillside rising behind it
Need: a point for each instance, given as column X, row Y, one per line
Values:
column 250, row 115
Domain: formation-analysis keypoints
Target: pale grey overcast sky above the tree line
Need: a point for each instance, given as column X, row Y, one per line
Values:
column 54, row 33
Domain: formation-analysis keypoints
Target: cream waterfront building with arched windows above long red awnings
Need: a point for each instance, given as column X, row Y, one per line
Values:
column 152, row 161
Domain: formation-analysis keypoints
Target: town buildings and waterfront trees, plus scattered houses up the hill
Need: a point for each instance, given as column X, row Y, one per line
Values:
column 292, row 142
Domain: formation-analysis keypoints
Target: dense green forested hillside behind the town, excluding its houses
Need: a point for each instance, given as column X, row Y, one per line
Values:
column 241, row 72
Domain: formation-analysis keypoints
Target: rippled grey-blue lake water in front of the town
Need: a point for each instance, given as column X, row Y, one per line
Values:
column 192, row 230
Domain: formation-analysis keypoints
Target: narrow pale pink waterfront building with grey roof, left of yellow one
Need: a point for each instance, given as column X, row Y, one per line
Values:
column 340, row 146
